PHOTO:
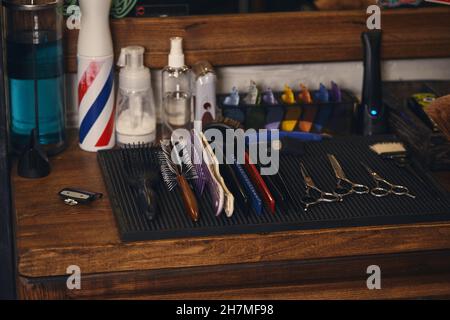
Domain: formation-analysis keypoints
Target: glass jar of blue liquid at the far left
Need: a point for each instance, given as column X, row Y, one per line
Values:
column 35, row 74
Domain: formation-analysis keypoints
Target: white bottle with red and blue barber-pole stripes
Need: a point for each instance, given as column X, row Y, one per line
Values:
column 96, row 77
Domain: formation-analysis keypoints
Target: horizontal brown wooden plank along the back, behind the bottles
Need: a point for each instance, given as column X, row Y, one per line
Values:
column 273, row 38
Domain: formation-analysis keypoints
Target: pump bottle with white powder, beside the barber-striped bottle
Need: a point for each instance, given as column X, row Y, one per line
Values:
column 136, row 120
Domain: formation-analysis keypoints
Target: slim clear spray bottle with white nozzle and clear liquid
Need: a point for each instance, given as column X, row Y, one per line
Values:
column 176, row 90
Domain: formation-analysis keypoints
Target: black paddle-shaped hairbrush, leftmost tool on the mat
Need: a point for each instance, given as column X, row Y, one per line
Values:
column 141, row 177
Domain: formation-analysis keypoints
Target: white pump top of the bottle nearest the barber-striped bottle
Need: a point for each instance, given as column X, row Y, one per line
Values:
column 133, row 75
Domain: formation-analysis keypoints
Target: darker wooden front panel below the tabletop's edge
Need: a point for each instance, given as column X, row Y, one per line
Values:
column 410, row 275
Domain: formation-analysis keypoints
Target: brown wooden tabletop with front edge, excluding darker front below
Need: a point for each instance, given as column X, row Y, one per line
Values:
column 51, row 236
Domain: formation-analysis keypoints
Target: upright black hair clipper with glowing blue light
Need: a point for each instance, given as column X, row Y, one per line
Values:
column 371, row 116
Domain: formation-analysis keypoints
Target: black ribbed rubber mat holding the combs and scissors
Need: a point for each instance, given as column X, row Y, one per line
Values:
column 432, row 202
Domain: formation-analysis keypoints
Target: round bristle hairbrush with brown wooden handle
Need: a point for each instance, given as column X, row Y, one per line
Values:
column 177, row 173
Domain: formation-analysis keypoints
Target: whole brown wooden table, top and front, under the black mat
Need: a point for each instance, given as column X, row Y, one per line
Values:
column 329, row 264
